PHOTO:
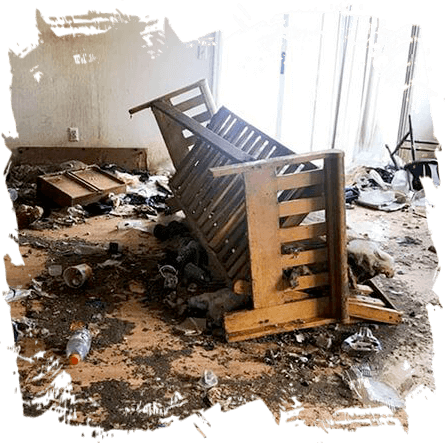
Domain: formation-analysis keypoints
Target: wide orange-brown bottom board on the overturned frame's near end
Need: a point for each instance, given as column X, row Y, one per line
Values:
column 298, row 311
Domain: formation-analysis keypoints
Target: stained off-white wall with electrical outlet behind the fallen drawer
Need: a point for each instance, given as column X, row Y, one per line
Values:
column 89, row 81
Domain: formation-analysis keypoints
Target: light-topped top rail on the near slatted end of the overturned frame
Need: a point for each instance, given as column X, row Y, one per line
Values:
column 276, row 162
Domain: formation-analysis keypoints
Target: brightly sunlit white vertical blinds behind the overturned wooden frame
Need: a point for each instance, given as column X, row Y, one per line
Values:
column 309, row 80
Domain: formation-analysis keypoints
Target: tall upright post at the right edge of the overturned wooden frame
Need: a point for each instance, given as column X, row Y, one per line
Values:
column 335, row 214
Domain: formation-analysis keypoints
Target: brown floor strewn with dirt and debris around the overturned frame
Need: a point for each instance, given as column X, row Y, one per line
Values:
column 147, row 357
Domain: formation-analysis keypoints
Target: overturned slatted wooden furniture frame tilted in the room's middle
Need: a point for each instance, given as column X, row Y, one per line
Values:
column 259, row 210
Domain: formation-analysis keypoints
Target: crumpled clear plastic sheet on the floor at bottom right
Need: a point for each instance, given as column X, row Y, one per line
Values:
column 370, row 390
